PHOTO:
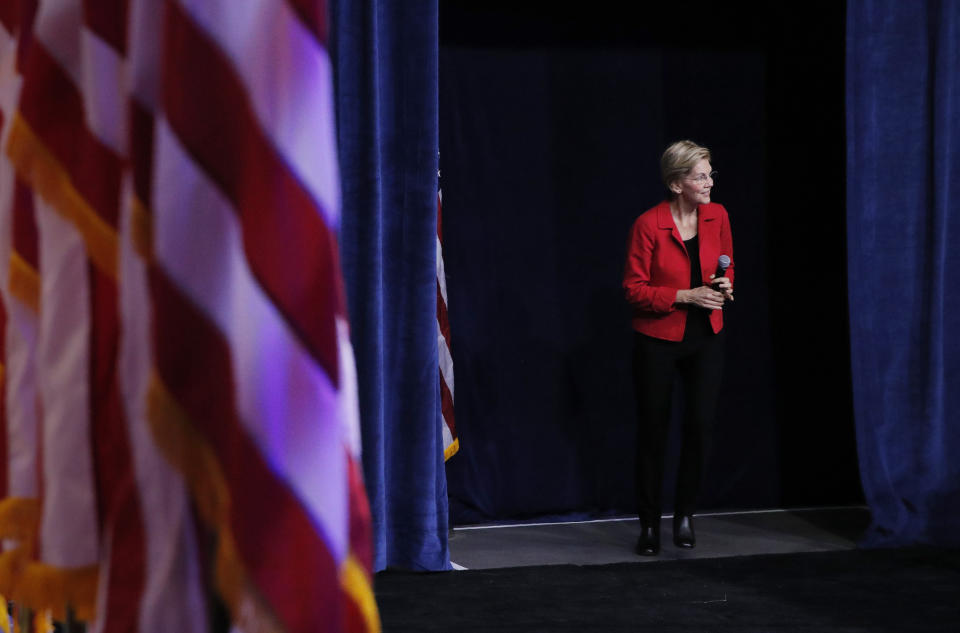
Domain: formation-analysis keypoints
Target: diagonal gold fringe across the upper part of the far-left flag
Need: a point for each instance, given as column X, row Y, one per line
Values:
column 38, row 166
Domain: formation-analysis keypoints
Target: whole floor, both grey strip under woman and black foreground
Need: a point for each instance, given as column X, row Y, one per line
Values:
column 796, row 571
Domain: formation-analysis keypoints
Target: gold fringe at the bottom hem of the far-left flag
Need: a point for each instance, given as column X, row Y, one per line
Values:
column 44, row 586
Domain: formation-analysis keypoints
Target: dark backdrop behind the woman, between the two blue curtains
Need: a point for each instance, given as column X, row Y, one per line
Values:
column 550, row 136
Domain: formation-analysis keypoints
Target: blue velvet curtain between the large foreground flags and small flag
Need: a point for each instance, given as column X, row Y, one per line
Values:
column 385, row 58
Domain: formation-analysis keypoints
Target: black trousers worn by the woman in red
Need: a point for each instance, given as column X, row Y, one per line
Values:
column 699, row 362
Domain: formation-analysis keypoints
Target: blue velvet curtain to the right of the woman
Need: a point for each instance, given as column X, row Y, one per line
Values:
column 903, row 225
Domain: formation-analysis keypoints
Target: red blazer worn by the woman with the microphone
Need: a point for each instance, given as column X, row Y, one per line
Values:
column 657, row 266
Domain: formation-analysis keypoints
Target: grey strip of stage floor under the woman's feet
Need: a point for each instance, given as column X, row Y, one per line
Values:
column 612, row 540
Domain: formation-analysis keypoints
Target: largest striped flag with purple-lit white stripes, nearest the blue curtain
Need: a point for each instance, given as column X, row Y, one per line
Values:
column 252, row 369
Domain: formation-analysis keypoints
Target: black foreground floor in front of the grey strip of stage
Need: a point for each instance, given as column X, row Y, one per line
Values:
column 880, row 591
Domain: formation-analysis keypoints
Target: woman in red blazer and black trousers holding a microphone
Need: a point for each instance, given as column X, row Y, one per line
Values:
column 672, row 258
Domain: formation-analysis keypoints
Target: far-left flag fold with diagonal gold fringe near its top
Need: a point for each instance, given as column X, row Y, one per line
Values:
column 71, row 158
